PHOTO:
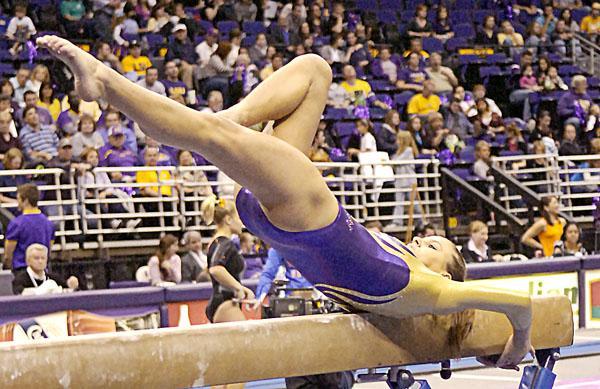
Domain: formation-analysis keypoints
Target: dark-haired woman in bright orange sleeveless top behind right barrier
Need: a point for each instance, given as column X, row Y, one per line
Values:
column 548, row 229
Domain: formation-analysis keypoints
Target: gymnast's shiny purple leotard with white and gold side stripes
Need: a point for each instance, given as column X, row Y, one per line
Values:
column 343, row 260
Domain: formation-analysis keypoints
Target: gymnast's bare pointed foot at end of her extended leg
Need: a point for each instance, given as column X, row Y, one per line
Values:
column 89, row 72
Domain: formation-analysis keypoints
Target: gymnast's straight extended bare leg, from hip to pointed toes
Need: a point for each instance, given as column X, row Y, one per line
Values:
column 288, row 186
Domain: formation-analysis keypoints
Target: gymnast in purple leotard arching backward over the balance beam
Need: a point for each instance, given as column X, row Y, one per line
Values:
column 292, row 209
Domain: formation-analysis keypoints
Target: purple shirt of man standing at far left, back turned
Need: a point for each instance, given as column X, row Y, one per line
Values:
column 27, row 229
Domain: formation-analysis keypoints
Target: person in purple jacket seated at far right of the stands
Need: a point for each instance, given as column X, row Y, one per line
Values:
column 574, row 105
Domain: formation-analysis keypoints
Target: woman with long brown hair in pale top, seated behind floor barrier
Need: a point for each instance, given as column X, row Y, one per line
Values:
column 165, row 265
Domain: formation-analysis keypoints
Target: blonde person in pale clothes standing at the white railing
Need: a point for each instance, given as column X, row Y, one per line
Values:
column 406, row 177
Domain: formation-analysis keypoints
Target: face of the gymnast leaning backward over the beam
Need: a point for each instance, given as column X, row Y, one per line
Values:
column 435, row 252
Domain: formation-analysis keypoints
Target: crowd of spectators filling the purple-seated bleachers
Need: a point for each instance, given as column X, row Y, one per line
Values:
column 413, row 79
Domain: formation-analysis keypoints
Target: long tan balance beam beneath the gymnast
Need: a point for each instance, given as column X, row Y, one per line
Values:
column 261, row 349
